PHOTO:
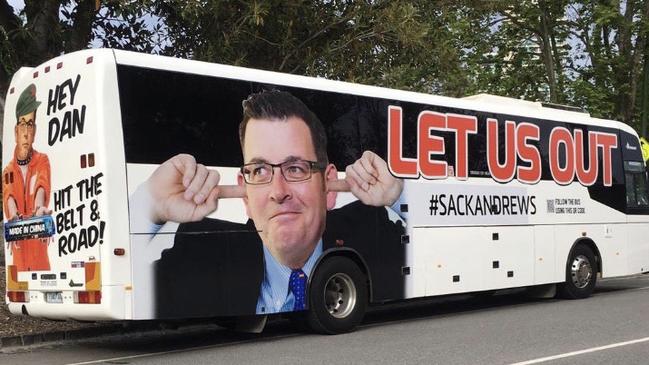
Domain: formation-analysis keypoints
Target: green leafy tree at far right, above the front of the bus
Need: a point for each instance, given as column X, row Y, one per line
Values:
column 612, row 35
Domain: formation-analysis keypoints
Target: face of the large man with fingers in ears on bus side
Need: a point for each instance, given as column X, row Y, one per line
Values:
column 289, row 215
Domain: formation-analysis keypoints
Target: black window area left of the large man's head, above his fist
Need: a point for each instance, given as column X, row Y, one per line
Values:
column 202, row 113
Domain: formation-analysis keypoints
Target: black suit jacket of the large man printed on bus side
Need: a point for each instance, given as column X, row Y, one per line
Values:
column 215, row 267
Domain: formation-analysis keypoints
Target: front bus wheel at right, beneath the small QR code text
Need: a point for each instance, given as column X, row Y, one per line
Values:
column 581, row 274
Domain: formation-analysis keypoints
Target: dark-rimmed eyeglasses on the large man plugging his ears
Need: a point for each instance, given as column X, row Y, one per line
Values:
column 259, row 173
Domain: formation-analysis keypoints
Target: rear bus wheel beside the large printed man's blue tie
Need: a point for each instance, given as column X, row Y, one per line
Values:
column 337, row 296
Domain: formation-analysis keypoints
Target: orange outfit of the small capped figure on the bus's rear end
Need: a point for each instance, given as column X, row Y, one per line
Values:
column 28, row 254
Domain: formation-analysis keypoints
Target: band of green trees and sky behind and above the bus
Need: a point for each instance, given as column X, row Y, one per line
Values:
column 588, row 53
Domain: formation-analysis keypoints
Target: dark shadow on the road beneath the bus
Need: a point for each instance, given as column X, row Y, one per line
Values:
column 207, row 334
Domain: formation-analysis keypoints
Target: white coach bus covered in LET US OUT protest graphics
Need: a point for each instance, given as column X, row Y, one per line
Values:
column 140, row 187
